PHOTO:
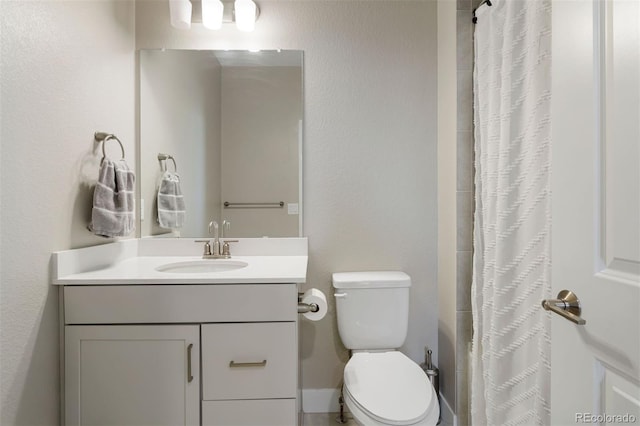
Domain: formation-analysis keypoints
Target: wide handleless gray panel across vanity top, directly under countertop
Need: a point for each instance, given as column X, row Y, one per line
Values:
column 180, row 303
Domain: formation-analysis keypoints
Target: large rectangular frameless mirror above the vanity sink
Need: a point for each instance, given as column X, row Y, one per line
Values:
column 230, row 122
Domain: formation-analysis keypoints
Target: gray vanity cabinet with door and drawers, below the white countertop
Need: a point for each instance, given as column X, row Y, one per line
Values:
column 220, row 354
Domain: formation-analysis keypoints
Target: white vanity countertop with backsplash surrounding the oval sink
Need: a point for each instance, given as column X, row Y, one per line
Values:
column 135, row 262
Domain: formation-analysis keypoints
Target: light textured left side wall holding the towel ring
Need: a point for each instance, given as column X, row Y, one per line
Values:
column 67, row 70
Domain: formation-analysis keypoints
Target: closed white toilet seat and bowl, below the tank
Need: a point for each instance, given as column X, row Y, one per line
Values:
column 390, row 388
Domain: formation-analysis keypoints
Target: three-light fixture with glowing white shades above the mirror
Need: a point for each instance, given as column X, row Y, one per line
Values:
column 214, row 13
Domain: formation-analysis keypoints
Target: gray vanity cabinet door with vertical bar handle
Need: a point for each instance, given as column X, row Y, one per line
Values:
column 132, row 375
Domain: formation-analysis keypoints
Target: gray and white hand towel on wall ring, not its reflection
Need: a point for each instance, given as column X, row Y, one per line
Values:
column 113, row 200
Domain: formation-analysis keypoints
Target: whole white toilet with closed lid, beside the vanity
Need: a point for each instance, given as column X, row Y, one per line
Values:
column 382, row 386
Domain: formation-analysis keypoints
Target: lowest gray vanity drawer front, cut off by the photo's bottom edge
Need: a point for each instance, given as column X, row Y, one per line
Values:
column 261, row 412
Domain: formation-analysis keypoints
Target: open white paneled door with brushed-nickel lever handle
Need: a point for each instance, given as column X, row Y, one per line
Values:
column 596, row 210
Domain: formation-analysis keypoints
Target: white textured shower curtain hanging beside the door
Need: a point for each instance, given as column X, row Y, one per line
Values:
column 511, row 267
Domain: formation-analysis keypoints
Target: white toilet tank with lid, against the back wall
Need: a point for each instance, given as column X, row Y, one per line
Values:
column 372, row 308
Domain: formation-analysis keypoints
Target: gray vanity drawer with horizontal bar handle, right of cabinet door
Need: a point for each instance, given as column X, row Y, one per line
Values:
column 249, row 361
